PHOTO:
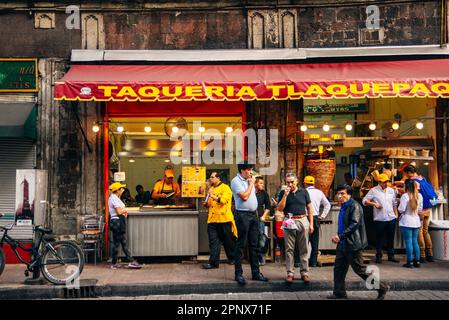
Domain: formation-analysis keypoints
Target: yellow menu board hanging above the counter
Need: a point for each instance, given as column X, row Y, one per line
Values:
column 193, row 182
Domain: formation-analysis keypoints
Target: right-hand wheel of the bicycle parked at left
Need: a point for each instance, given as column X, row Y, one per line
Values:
column 63, row 264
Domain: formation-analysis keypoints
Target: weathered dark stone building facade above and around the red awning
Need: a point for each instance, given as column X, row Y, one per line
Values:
column 72, row 153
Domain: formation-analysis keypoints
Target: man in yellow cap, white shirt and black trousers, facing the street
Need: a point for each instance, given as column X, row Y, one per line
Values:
column 385, row 212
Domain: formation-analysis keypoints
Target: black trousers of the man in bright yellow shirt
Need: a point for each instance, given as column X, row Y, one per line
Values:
column 220, row 233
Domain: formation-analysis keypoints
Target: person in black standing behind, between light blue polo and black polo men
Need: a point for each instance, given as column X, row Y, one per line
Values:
column 263, row 212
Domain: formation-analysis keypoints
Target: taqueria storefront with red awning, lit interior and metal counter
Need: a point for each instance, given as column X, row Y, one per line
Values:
column 144, row 105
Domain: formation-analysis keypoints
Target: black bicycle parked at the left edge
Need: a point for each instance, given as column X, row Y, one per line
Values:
column 61, row 262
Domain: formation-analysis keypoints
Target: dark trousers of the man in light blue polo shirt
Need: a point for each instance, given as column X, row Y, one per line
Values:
column 248, row 232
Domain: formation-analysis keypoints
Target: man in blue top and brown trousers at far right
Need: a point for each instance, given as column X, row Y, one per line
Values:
column 427, row 192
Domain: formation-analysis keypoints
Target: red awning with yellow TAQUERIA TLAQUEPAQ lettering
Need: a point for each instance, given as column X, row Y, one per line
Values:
column 414, row 78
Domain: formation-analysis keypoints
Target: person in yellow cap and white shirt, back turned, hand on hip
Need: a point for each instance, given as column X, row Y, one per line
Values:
column 318, row 199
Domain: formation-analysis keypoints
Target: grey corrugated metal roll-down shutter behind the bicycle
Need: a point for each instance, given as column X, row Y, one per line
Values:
column 14, row 154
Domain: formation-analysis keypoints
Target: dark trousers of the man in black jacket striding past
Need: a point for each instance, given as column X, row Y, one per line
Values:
column 343, row 260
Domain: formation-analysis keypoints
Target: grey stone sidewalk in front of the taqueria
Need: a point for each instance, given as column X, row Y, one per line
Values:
column 188, row 278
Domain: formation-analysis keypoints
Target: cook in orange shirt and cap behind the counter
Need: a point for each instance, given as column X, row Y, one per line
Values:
column 165, row 190
